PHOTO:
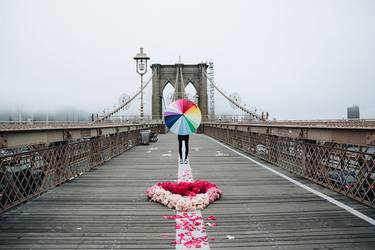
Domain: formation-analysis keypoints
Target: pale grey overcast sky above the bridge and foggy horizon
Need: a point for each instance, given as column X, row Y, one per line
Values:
column 296, row 59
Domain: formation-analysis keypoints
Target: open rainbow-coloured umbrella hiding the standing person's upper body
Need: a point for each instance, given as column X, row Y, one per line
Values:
column 182, row 117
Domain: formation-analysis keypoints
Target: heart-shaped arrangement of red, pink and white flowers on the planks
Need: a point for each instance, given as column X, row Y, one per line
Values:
column 184, row 196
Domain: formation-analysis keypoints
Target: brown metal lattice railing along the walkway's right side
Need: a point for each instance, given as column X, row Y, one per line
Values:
column 346, row 169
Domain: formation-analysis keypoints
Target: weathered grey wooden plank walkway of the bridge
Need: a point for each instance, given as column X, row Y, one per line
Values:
column 107, row 209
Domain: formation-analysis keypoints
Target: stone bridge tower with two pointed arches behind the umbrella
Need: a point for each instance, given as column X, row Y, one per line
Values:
column 179, row 75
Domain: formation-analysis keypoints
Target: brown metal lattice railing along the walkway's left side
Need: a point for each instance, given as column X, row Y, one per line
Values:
column 24, row 175
